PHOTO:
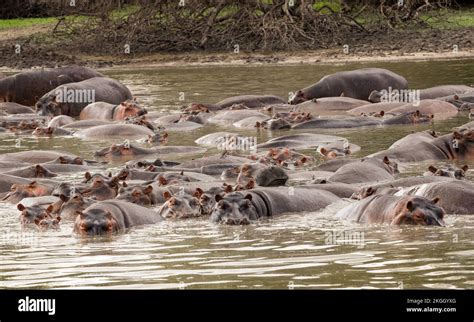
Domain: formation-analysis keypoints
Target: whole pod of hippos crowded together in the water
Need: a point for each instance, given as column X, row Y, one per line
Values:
column 238, row 181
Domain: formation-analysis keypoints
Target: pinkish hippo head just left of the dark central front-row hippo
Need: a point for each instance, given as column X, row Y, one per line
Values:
column 180, row 206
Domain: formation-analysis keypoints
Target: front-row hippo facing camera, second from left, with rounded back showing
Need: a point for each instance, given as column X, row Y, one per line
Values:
column 112, row 216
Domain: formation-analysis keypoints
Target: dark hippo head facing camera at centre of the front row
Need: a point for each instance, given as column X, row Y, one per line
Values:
column 234, row 209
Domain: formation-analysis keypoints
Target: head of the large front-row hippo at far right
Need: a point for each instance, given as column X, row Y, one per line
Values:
column 420, row 211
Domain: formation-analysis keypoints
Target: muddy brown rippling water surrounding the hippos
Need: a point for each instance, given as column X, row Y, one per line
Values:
column 306, row 250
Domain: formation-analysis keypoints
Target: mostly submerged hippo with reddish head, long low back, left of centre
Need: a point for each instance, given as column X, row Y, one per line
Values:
column 130, row 150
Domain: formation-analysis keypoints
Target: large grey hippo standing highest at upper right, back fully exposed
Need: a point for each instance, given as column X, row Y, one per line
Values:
column 357, row 84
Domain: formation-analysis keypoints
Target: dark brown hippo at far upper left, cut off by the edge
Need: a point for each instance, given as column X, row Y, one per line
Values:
column 25, row 88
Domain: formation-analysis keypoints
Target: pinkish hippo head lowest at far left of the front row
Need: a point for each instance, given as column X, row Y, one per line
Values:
column 38, row 216
